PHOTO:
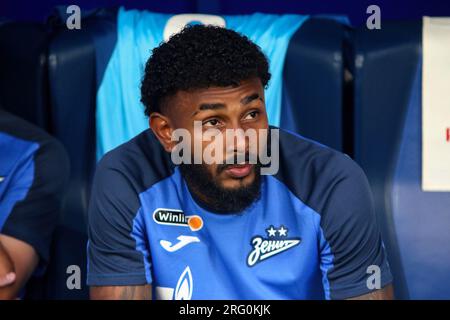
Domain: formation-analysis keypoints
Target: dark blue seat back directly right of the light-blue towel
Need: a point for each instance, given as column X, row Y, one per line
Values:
column 314, row 94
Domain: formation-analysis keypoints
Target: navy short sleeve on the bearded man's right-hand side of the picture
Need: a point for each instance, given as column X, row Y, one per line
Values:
column 350, row 240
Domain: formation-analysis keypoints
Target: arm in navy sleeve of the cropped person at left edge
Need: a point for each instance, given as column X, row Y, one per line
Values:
column 30, row 209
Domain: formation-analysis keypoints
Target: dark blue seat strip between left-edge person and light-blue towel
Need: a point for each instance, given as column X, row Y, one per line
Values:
column 72, row 83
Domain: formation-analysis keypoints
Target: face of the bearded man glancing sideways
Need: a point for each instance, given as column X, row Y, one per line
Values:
column 220, row 108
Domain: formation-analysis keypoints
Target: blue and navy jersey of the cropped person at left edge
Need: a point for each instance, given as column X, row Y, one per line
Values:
column 34, row 169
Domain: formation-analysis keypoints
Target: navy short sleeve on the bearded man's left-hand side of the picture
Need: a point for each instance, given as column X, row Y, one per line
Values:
column 117, row 253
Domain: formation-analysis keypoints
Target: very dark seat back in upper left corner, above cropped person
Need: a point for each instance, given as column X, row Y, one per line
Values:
column 23, row 76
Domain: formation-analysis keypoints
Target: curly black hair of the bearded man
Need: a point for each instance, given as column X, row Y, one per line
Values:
column 199, row 57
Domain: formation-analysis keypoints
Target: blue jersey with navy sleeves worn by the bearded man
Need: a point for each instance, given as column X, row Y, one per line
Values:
column 311, row 235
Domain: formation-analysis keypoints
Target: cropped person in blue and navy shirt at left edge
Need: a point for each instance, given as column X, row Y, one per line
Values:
column 33, row 171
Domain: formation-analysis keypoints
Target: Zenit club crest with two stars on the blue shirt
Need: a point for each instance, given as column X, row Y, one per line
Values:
column 275, row 243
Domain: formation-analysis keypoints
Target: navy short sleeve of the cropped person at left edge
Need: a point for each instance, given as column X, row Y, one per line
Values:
column 35, row 191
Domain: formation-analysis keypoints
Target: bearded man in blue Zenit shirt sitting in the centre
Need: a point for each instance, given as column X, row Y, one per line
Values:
column 220, row 230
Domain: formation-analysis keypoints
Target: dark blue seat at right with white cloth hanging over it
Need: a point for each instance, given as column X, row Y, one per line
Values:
column 388, row 147
